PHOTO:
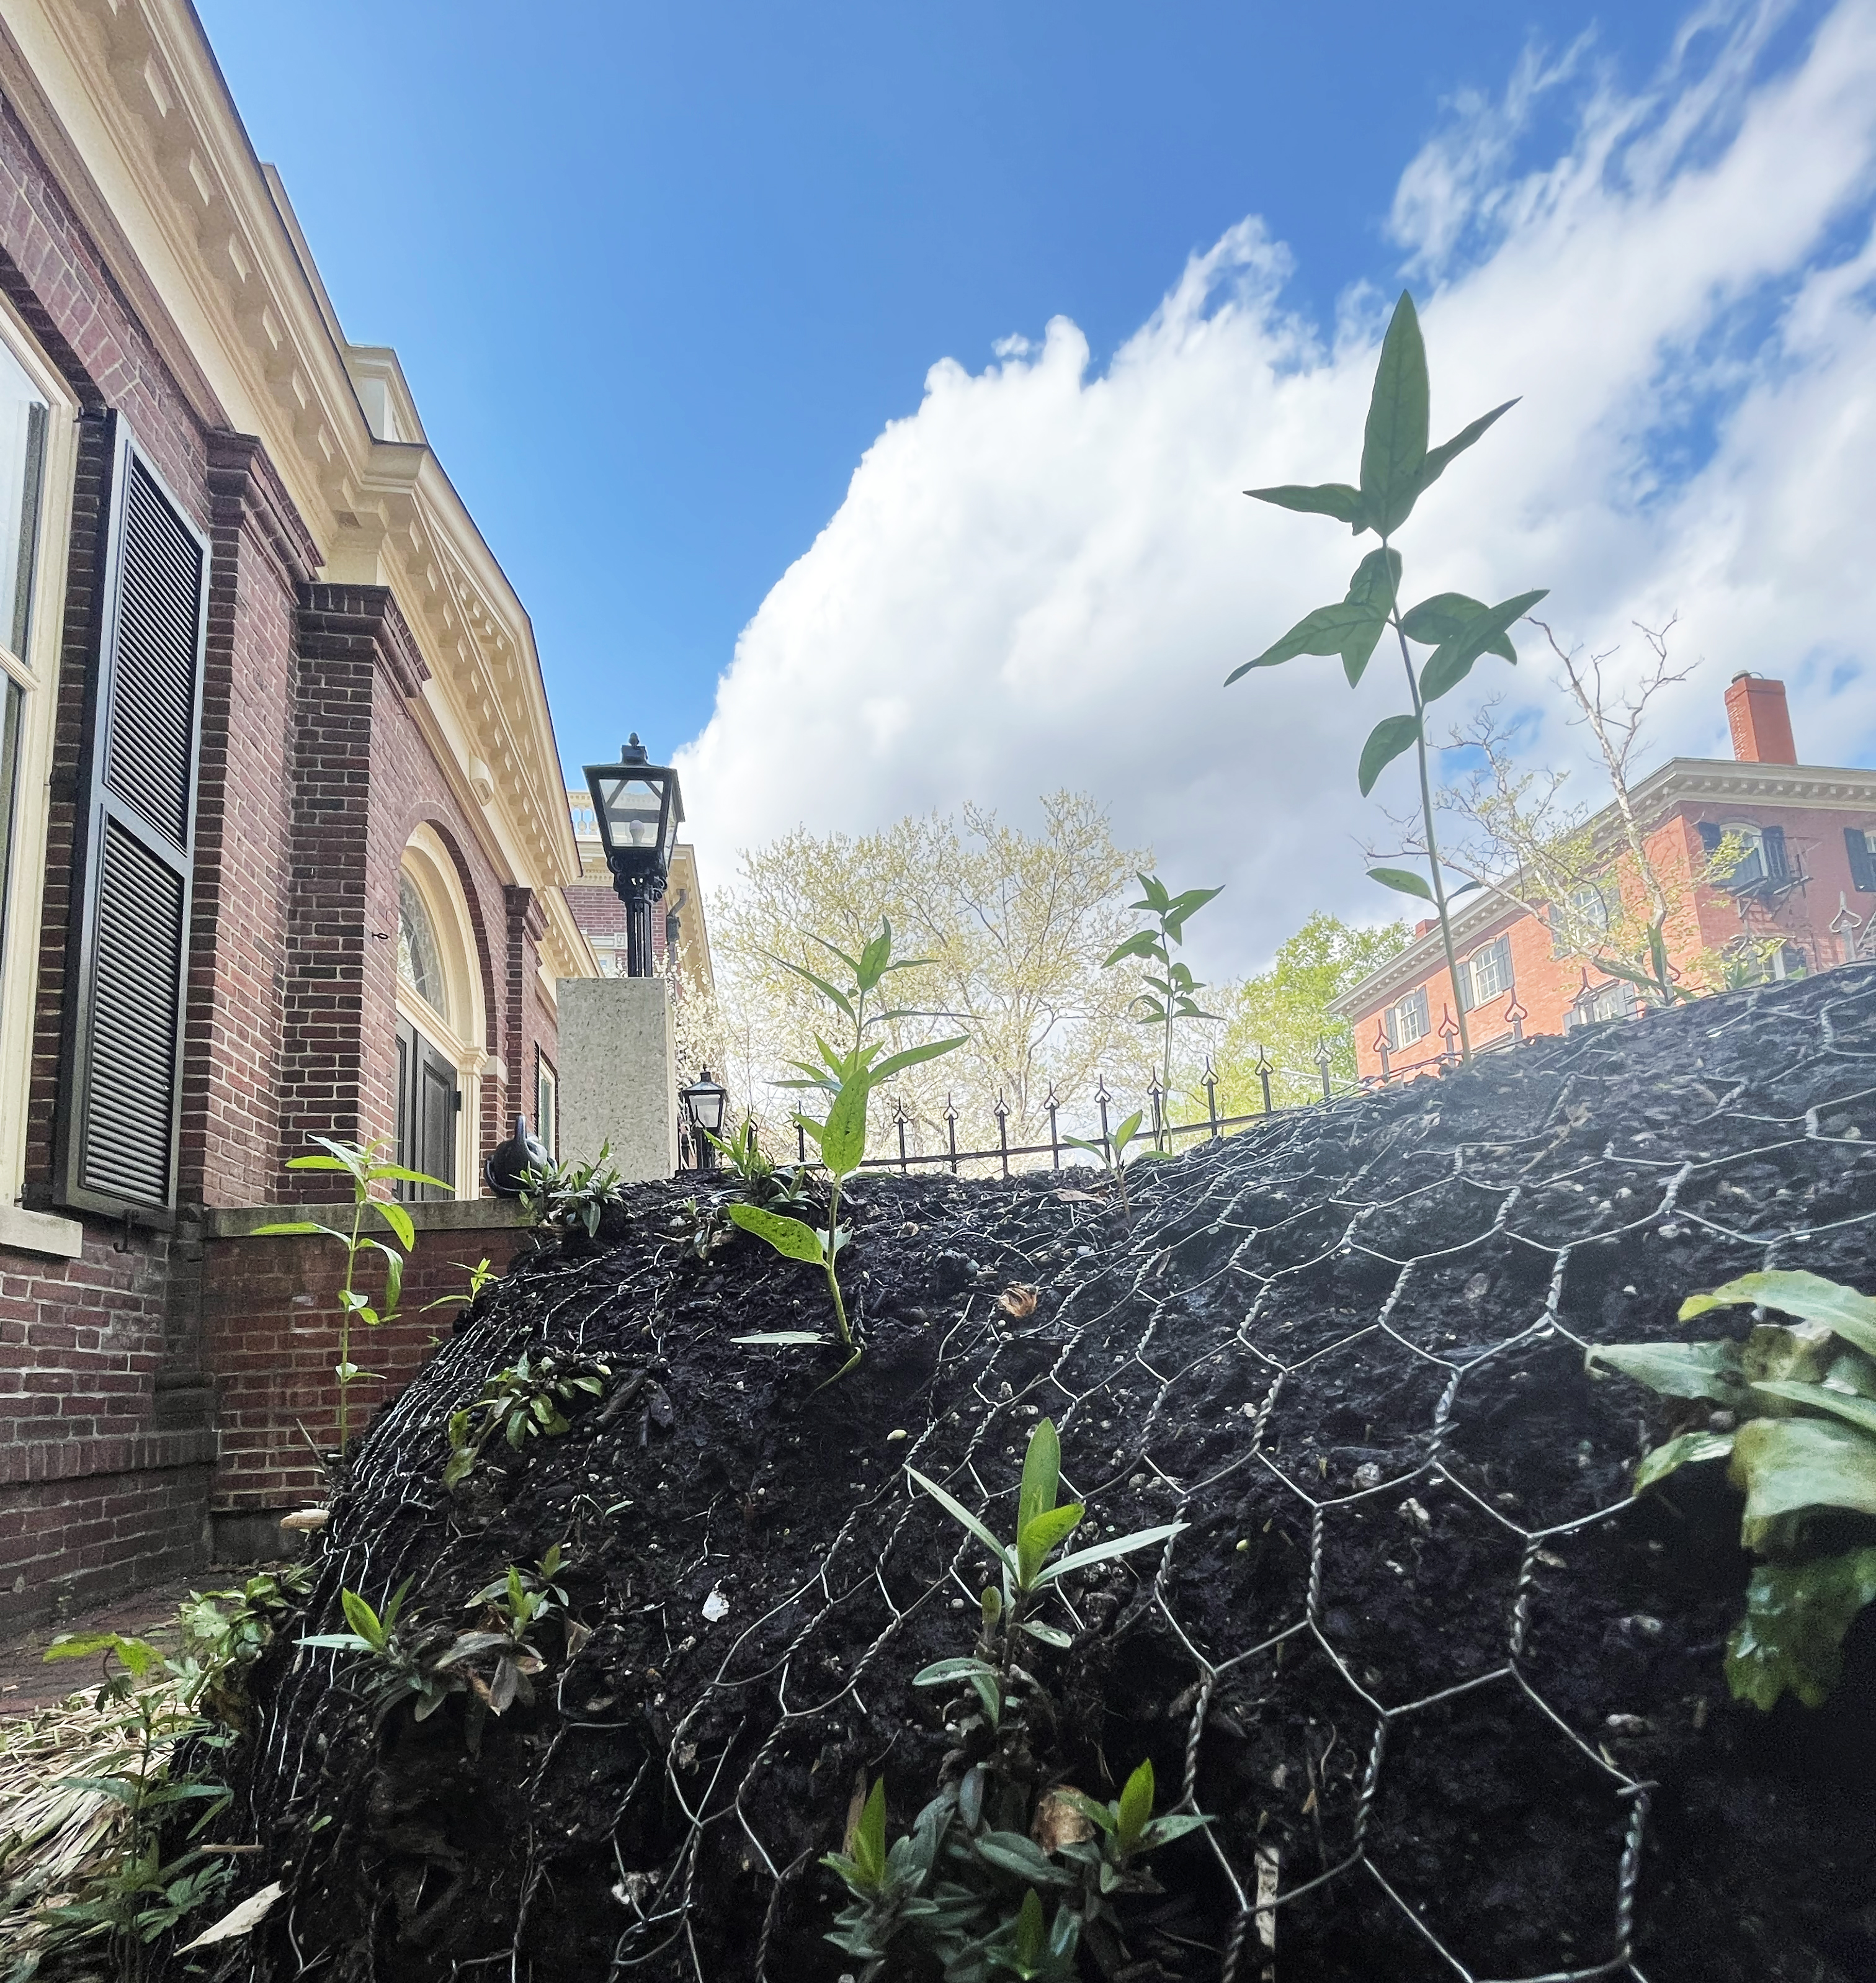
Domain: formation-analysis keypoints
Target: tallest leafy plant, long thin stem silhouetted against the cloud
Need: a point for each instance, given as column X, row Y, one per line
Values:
column 1397, row 469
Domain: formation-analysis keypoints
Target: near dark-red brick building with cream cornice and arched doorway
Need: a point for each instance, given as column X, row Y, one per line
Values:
column 283, row 820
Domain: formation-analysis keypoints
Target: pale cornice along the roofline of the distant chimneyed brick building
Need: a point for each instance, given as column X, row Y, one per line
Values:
column 1677, row 782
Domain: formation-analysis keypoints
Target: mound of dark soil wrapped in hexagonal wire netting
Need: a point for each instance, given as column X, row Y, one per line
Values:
column 1451, row 1696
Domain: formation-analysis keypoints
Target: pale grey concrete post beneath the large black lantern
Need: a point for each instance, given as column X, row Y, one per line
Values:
column 620, row 1074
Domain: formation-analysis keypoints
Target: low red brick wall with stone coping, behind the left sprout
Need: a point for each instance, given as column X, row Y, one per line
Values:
column 273, row 1340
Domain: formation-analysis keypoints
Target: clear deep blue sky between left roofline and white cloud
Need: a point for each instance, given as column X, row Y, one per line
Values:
column 659, row 277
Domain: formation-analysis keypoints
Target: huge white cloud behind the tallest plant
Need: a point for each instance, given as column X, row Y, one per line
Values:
column 1044, row 576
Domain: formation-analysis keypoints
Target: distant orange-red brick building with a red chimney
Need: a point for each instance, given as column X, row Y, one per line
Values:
column 1766, row 862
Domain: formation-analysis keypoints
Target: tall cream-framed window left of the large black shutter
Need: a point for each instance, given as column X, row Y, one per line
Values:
column 37, row 429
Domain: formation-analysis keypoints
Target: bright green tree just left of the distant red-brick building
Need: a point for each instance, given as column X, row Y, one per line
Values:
column 1284, row 1012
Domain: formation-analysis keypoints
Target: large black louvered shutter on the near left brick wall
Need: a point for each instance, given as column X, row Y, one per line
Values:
column 136, row 850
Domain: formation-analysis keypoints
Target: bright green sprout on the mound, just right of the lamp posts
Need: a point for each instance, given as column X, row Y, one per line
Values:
column 850, row 1080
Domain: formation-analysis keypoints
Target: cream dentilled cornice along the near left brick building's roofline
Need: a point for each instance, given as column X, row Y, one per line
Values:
column 209, row 251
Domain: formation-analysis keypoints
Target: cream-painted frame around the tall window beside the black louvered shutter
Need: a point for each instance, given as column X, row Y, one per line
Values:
column 39, row 675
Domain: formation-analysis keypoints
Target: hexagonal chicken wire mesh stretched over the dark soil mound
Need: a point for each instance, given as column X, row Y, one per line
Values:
column 1308, row 1345
